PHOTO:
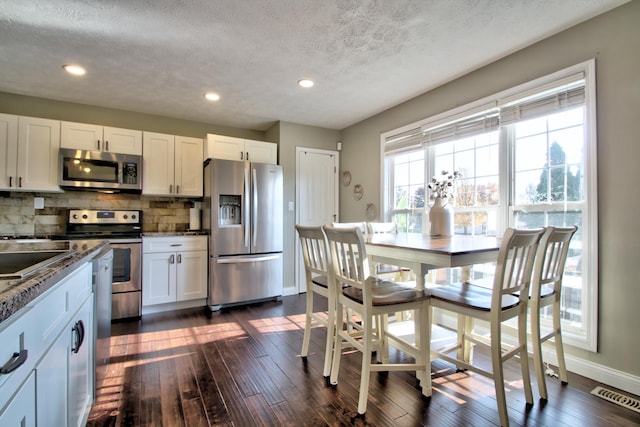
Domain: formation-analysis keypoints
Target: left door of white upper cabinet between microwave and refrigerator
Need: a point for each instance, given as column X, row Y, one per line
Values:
column 158, row 161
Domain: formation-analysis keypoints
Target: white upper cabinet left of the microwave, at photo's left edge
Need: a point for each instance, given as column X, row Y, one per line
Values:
column 29, row 148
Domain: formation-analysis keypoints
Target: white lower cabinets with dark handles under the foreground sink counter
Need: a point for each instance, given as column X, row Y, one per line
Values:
column 53, row 385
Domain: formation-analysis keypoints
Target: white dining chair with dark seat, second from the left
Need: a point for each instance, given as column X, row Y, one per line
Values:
column 373, row 299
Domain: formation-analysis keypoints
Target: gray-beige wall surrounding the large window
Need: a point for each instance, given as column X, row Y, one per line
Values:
column 614, row 40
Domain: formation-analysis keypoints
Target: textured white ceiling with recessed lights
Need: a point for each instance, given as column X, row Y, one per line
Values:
column 161, row 56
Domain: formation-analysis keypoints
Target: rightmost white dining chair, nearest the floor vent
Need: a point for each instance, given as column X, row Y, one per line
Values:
column 546, row 289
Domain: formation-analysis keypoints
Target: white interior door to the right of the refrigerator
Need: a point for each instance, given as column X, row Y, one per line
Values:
column 316, row 195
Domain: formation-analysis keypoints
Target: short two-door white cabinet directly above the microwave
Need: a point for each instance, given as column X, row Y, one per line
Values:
column 82, row 136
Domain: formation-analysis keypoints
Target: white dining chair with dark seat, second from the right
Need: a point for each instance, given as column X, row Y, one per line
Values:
column 513, row 270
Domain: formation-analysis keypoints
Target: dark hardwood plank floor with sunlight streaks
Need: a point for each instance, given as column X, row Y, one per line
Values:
column 241, row 367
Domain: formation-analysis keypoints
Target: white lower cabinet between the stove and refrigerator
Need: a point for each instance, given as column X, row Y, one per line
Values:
column 174, row 269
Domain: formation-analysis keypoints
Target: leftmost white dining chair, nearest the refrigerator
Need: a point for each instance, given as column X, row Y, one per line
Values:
column 316, row 269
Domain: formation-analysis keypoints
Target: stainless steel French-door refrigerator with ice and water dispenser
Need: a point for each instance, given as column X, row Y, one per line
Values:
column 243, row 211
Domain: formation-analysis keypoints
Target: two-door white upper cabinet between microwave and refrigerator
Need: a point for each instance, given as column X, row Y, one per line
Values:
column 172, row 165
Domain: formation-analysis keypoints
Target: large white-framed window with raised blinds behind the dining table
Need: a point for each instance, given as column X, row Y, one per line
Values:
column 527, row 156
